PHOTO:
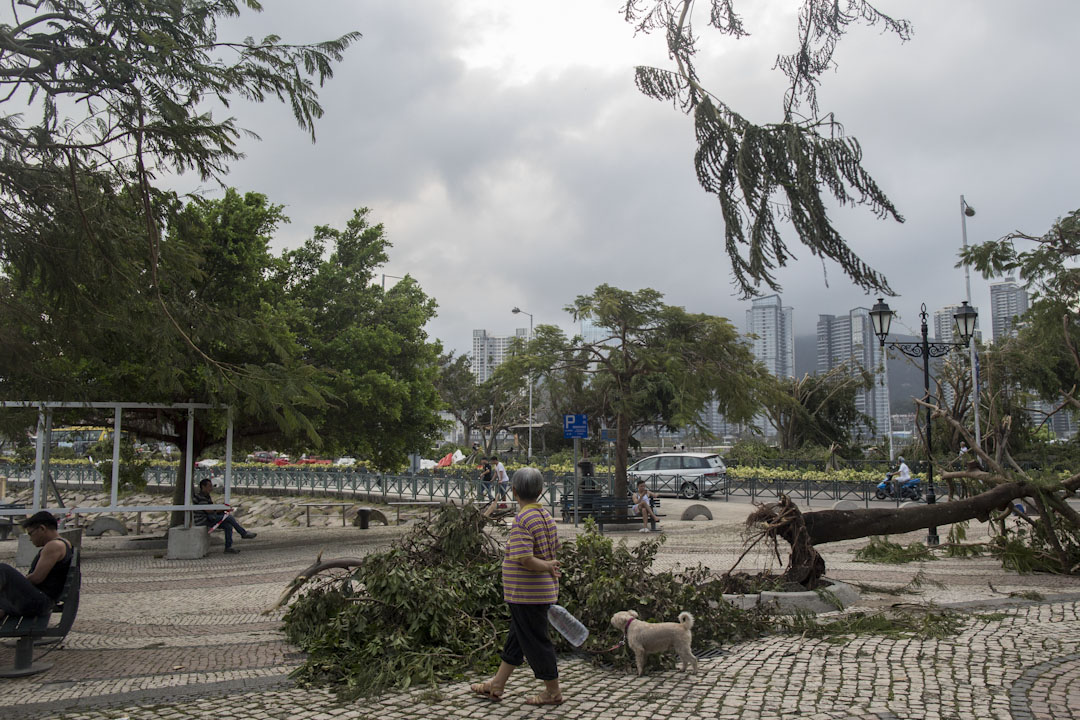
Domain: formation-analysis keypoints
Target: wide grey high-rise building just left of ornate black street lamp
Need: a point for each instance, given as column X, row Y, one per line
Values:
column 849, row 341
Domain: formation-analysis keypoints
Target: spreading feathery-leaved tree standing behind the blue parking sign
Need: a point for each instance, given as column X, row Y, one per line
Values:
column 655, row 363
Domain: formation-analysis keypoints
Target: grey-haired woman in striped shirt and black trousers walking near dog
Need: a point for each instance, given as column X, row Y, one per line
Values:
column 530, row 587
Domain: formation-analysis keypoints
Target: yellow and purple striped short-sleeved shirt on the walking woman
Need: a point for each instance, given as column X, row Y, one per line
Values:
column 533, row 535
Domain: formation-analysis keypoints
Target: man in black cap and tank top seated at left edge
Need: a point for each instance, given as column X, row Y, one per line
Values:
column 32, row 595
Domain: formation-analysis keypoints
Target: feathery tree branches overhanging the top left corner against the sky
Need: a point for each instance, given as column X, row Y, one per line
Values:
column 100, row 100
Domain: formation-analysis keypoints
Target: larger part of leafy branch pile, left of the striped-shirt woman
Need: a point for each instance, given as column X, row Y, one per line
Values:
column 427, row 610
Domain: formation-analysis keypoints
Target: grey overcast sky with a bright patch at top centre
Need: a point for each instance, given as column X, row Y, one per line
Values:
column 514, row 162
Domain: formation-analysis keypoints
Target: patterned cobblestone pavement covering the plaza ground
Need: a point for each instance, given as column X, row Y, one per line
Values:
column 159, row 639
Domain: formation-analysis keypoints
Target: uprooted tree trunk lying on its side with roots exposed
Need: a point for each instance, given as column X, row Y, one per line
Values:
column 1006, row 482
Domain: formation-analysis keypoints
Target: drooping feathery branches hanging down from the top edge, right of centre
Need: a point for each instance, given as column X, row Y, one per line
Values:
column 767, row 175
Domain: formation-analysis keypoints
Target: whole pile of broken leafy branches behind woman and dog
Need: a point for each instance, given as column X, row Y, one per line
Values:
column 431, row 610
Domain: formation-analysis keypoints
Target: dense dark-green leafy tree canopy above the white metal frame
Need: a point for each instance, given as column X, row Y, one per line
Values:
column 314, row 352
